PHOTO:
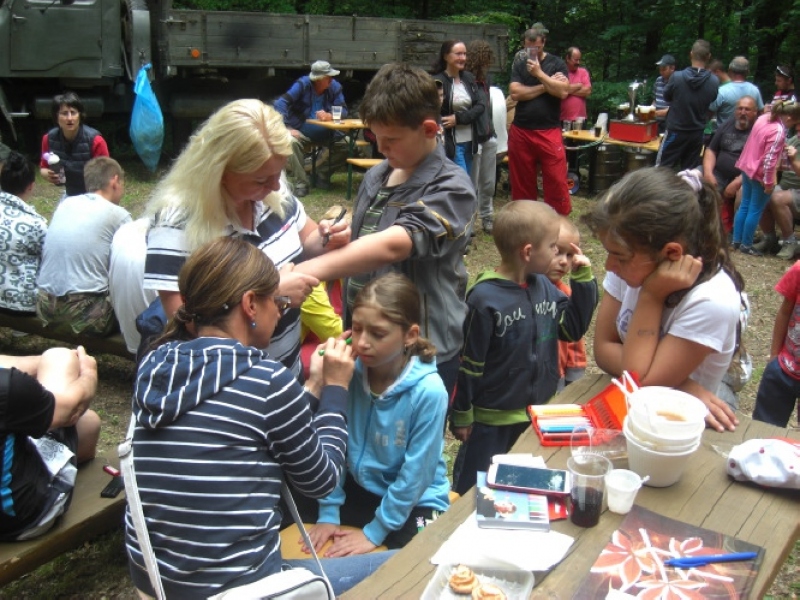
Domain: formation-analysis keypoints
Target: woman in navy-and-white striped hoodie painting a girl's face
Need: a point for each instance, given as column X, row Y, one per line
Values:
column 219, row 425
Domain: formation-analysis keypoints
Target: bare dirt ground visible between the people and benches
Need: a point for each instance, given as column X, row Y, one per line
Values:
column 98, row 570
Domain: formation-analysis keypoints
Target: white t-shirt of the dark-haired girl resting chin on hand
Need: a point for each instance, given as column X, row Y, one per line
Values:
column 706, row 315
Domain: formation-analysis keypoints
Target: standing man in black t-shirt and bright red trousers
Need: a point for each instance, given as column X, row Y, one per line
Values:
column 538, row 83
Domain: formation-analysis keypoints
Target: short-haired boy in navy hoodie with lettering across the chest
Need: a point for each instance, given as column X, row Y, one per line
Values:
column 510, row 354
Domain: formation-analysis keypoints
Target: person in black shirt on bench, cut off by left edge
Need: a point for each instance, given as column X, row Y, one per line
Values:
column 45, row 428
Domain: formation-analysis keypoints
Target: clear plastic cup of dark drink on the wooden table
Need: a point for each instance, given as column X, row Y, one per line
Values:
column 588, row 472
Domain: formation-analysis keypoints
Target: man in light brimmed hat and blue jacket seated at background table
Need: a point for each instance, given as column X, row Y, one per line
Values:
column 310, row 97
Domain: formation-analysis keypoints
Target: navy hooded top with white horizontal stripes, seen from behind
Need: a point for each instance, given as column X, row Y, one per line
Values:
column 219, row 425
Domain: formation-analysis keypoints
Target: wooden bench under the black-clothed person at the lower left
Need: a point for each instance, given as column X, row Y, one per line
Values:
column 88, row 516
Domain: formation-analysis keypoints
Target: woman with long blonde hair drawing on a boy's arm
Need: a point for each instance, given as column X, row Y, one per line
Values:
column 229, row 181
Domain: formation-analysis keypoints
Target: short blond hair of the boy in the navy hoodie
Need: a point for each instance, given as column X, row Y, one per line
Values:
column 519, row 223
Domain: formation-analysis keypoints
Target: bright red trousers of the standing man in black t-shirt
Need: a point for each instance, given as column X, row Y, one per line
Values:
column 529, row 148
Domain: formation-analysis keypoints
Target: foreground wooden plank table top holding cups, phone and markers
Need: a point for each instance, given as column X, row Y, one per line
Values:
column 705, row 496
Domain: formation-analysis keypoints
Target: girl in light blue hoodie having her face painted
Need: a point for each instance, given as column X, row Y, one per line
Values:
column 396, row 479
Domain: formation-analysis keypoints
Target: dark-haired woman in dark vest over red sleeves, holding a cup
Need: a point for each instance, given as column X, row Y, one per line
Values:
column 73, row 142
